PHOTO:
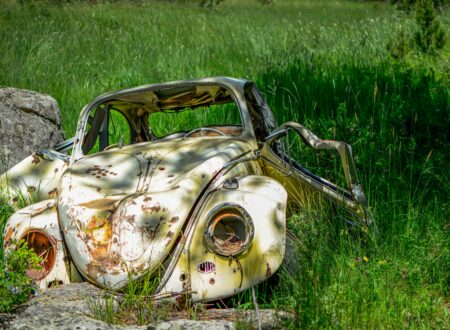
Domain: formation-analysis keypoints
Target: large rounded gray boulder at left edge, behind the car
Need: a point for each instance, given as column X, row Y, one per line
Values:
column 28, row 121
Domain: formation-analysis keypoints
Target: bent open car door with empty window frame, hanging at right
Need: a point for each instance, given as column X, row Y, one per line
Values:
column 284, row 157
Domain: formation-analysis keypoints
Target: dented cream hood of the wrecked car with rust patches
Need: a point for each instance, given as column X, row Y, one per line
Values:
column 121, row 210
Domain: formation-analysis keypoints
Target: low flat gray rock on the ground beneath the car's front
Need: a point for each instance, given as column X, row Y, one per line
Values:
column 68, row 307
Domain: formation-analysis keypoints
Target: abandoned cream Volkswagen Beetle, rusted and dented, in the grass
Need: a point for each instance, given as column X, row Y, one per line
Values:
column 189, row 180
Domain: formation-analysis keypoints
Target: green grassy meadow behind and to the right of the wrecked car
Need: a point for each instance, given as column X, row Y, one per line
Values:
column 326, row 64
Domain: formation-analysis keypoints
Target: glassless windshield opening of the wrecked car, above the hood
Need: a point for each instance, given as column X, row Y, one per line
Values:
column 182, row 111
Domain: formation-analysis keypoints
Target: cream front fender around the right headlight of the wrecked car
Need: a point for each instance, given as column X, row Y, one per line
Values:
column 210, row 273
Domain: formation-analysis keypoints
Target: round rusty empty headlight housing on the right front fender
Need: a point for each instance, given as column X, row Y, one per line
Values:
column 229, row 230
